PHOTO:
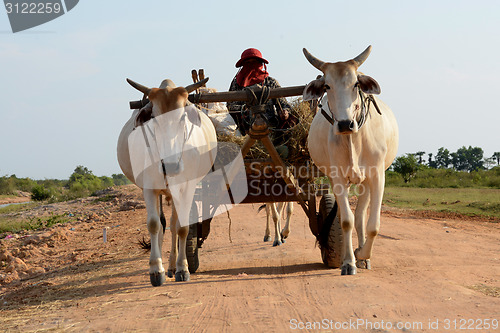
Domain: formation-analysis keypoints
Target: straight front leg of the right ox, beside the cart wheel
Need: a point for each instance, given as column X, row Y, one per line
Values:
column 347, row 224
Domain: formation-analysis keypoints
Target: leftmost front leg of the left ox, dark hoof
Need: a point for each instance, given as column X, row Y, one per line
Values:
column 156, row 270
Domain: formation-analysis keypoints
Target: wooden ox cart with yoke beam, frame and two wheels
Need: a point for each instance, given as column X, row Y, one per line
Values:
column 271, row 180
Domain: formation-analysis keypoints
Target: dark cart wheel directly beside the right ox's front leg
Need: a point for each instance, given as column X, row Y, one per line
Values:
column 330, row 237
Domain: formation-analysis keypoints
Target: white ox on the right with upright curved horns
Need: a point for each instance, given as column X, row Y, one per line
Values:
column 350, row 153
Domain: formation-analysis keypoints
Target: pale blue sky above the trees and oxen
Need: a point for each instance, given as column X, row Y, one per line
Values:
column 64, row 97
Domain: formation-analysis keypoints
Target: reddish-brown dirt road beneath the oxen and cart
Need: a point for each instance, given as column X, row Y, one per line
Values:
column 428, row 275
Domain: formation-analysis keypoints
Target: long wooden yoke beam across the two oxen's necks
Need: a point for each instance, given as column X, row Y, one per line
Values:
column 230, row 96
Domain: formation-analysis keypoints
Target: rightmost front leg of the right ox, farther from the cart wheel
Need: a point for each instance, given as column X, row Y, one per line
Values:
column 373, row 225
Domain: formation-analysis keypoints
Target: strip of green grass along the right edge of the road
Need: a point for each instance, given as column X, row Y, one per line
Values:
column 466, row 201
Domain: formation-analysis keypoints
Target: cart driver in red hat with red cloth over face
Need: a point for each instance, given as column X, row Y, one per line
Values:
column 253, row 71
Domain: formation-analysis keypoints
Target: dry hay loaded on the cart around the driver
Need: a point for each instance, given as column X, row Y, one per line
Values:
column 295, row 137
